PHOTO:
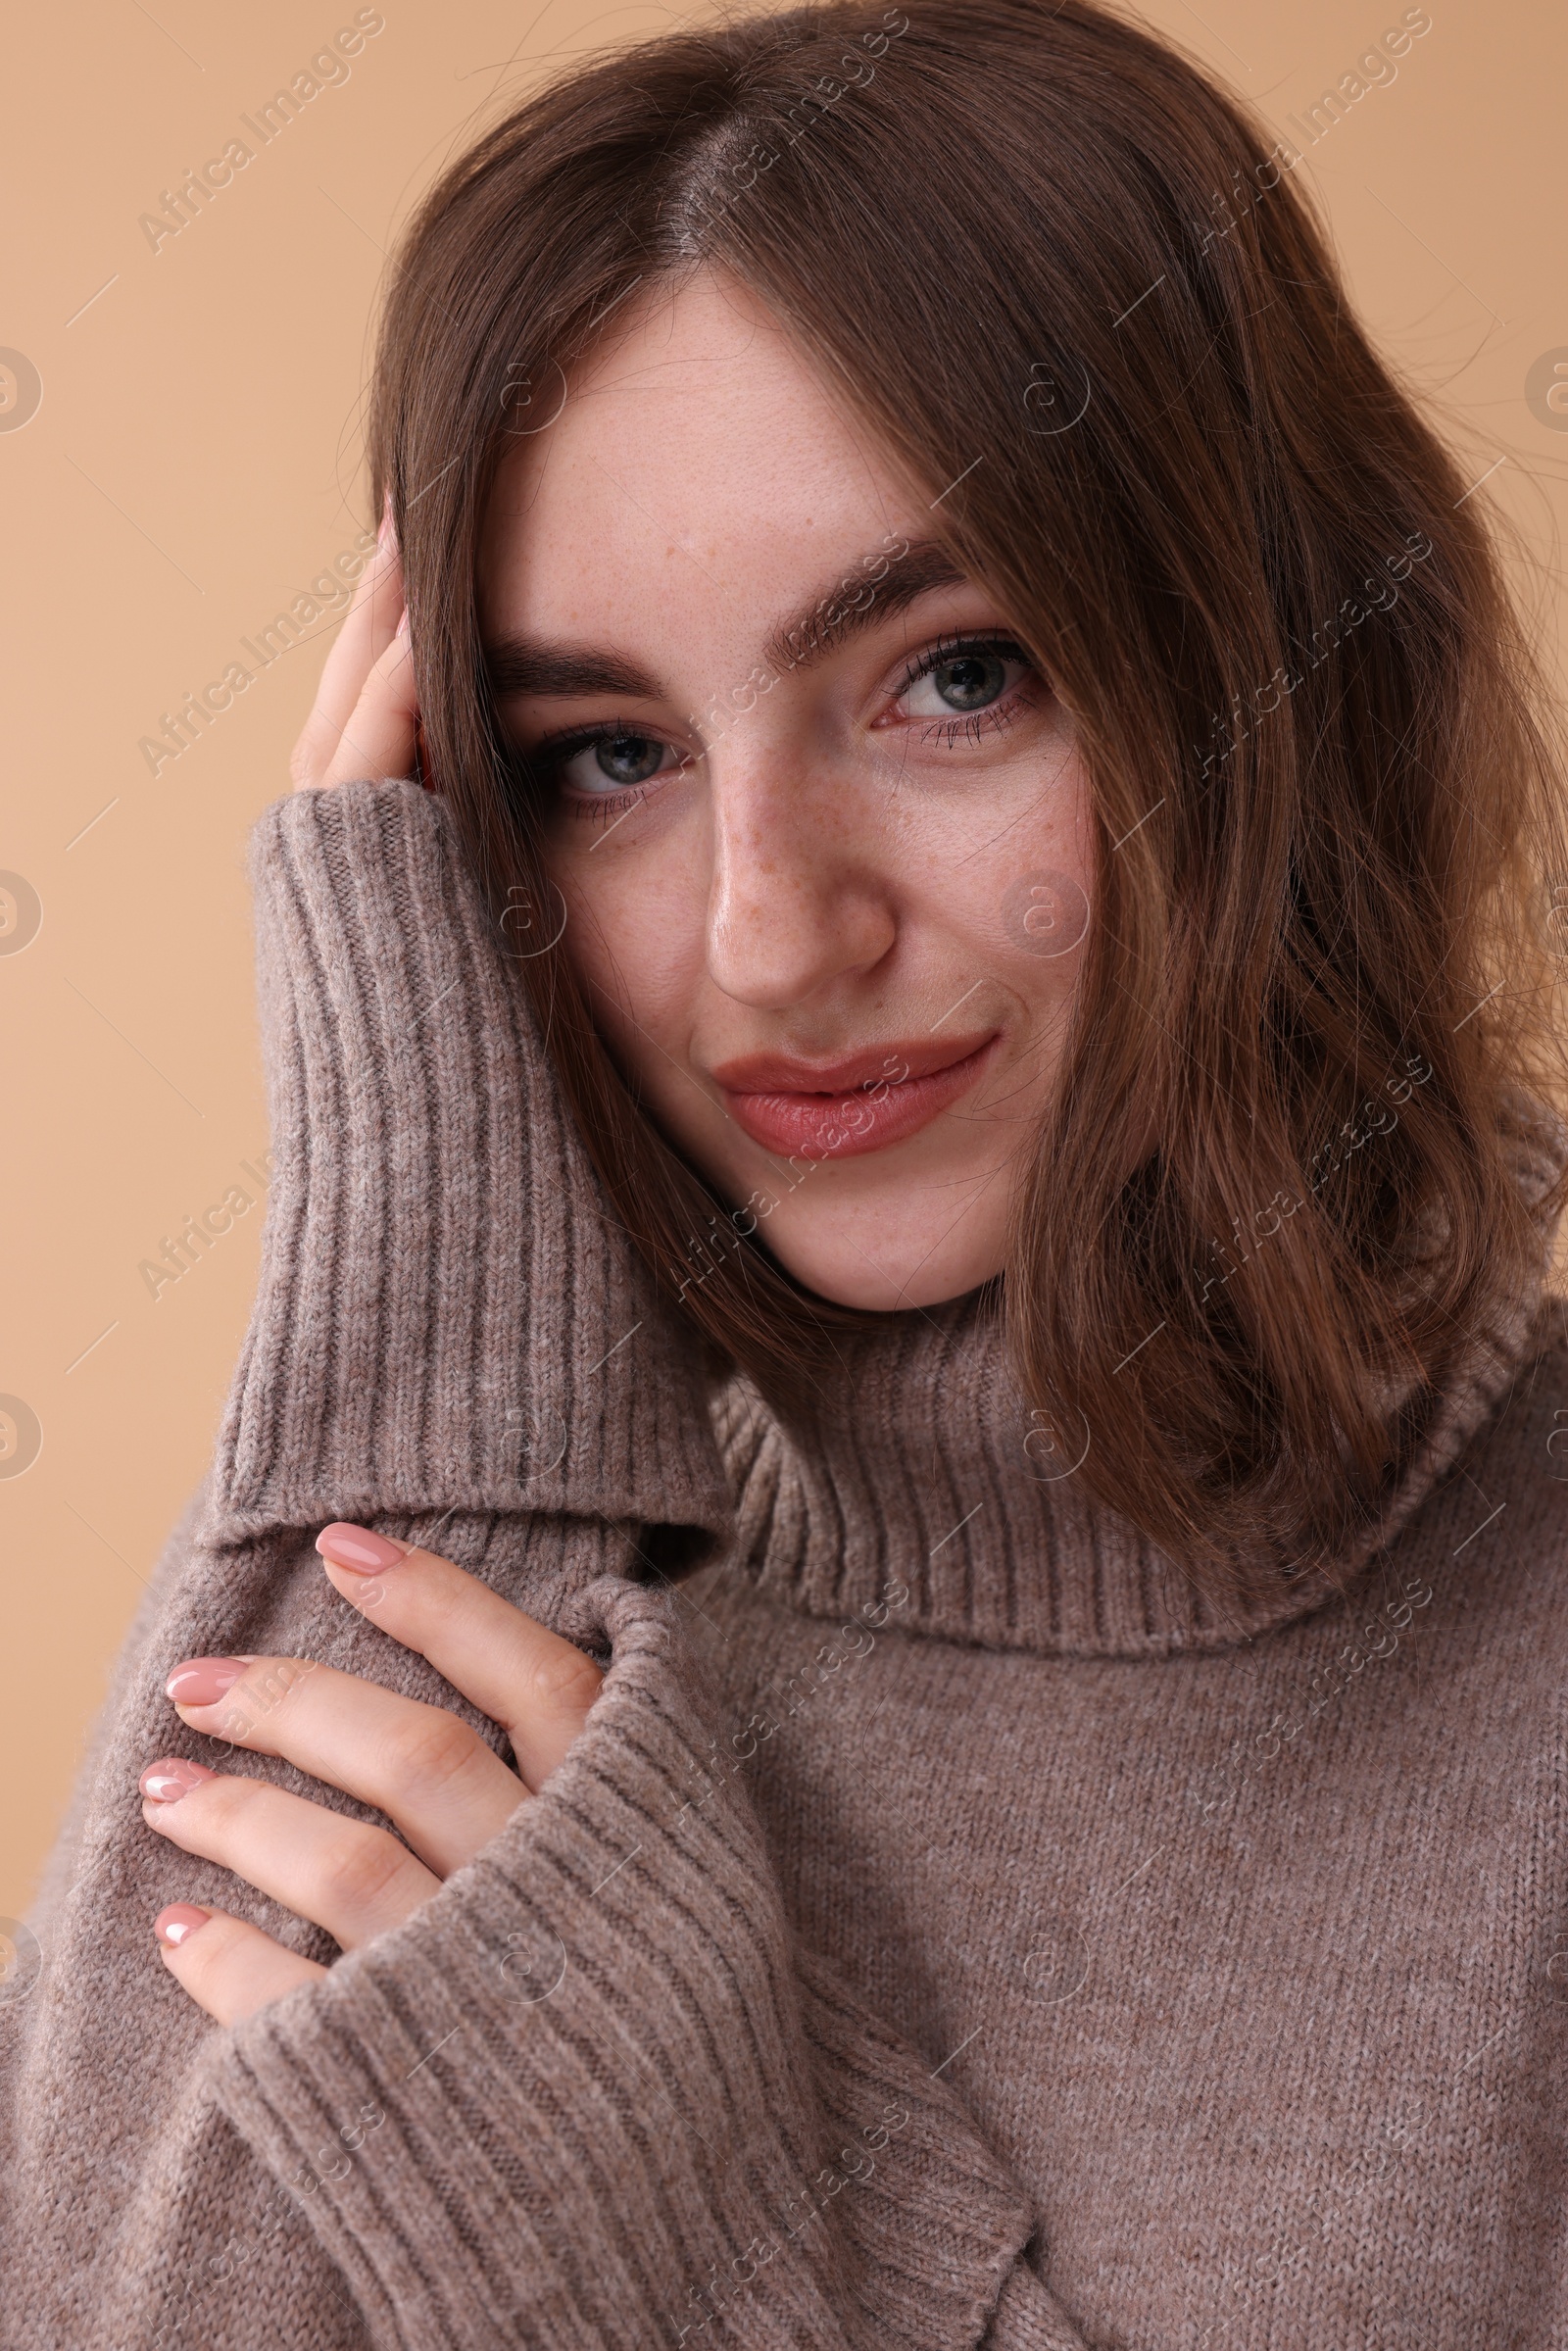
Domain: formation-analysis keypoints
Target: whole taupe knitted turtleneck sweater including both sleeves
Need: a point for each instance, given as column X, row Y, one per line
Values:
column 949, row 1931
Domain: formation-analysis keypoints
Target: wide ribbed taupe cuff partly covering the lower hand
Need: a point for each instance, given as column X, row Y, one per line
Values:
column 589, row 2096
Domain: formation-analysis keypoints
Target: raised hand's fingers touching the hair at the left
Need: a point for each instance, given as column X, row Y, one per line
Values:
column 366, row 721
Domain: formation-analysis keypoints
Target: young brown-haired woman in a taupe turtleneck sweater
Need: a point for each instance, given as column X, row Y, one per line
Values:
column 876, row 1647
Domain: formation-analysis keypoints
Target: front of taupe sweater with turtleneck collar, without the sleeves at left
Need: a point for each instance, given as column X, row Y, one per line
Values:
column 1242, row 1934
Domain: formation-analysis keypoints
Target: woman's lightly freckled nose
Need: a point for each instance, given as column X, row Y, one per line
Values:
column 803, row 880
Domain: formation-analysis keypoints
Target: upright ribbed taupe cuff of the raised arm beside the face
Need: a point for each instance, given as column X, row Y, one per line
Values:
column 448, row 1311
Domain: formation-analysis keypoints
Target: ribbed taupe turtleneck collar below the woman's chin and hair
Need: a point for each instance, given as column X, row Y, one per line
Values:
column 913, row 1471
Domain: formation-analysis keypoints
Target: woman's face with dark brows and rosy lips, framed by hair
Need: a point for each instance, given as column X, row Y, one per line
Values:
column 822, row 829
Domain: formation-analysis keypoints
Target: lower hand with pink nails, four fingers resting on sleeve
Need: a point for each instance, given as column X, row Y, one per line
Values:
column 434, row 1776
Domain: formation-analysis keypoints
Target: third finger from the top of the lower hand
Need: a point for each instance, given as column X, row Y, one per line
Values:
column 342, row 1875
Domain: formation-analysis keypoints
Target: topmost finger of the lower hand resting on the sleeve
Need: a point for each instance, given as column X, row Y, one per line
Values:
column 509, row 1666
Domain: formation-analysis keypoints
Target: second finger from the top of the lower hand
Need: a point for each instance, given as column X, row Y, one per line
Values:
column 429, row 1771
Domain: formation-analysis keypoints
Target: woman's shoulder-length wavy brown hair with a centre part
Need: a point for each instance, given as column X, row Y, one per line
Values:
column 1038, row 250
